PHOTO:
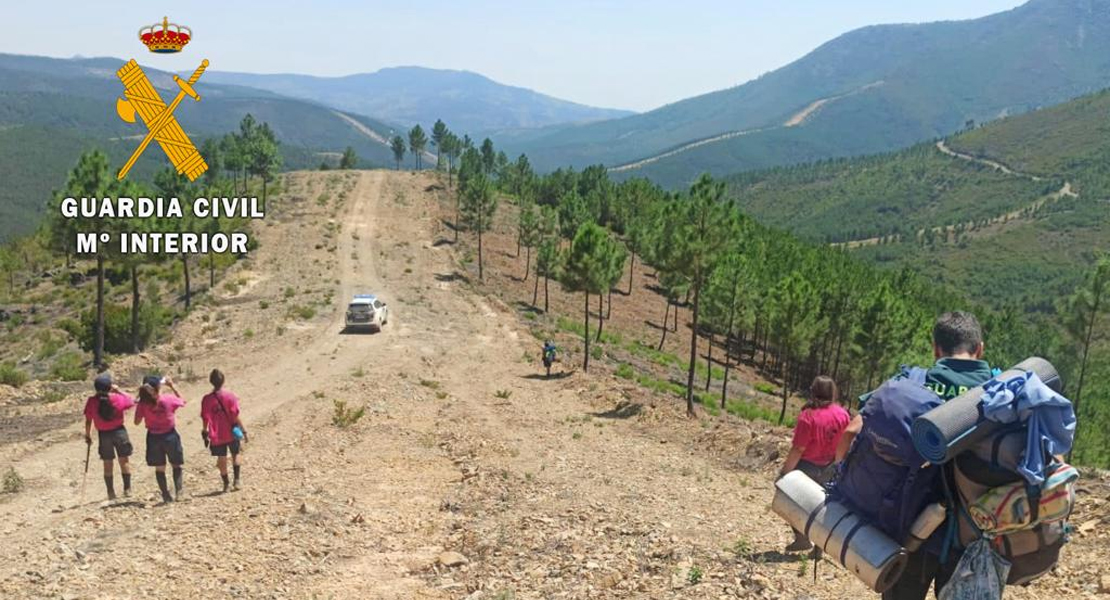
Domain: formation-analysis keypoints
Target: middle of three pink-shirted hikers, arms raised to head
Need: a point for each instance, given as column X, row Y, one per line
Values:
column 163, row 440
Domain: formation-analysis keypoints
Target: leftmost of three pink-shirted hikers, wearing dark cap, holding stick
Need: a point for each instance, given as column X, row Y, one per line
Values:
column 106, row 411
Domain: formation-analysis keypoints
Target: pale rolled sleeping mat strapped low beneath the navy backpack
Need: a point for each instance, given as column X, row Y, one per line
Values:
column 864, row 551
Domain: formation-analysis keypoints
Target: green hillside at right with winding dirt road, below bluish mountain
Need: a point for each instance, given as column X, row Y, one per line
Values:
column 1020, row 237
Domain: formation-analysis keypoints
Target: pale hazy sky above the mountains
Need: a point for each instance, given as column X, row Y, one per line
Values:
column 623, row 54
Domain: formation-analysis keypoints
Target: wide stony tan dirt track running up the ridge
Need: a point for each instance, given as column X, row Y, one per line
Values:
column 576, row 487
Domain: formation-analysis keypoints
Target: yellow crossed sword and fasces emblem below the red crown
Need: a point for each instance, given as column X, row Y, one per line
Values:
column 139, row 96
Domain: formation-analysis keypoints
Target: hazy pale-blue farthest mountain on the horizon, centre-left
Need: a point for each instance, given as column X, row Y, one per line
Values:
column 468, row 103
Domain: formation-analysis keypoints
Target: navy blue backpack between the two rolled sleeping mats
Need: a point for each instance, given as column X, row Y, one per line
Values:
column 884, row 480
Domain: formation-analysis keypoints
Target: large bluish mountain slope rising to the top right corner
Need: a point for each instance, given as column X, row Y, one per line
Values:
column 935, row 78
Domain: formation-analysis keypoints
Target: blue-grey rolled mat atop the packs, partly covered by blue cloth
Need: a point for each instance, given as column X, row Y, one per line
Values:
column 953, row 428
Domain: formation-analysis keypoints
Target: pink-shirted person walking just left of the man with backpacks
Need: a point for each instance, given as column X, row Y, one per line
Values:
column 816, row 435
